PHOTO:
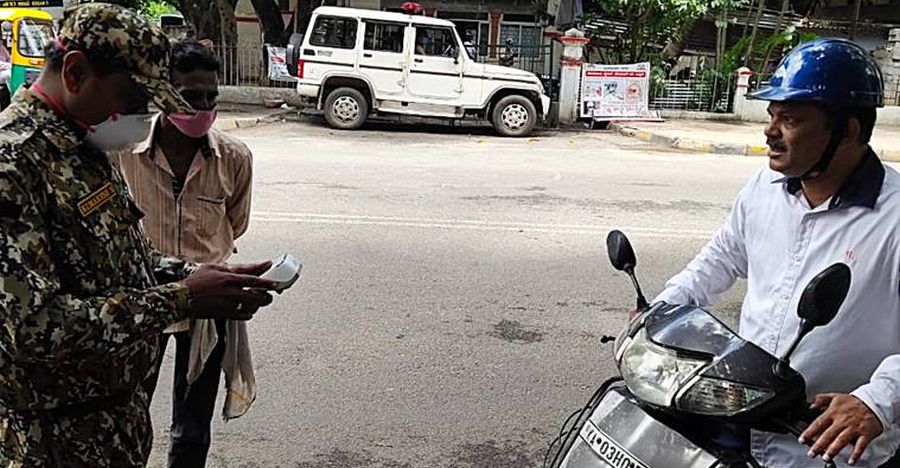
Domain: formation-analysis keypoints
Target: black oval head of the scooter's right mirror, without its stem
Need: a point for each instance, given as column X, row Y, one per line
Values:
column 824, row 295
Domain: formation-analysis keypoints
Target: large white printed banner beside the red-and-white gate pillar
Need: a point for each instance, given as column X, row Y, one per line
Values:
column 613, row 92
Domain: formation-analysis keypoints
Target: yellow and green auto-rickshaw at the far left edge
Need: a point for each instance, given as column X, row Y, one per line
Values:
column 25, row 33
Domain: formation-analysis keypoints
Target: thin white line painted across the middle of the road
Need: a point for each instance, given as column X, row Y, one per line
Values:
column 475, row 225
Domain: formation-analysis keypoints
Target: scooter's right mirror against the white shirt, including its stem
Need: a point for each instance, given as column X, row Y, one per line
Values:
column 821, row 300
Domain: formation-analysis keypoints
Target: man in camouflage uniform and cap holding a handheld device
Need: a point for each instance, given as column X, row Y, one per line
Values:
column 83, row 297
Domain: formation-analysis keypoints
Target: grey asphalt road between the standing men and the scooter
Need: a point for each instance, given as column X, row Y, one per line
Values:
column 454, row 291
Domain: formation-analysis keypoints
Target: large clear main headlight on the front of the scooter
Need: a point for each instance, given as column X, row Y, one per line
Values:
column 653, row 373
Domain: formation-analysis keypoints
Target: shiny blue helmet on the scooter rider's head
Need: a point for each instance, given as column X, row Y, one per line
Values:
column 829, row 71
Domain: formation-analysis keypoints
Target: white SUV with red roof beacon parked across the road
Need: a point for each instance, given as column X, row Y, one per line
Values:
column 353, row 63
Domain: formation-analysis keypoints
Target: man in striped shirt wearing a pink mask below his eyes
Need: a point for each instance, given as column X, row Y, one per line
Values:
column 193, row 183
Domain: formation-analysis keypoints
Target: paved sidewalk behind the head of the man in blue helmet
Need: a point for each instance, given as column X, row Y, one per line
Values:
column 731, row 137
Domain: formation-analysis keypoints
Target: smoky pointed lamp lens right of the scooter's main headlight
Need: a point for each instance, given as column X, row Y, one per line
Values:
column 716, row 397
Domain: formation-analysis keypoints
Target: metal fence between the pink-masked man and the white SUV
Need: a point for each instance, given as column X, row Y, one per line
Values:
column 246, row 65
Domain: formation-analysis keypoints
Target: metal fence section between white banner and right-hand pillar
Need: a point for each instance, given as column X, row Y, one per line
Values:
column 706, row 95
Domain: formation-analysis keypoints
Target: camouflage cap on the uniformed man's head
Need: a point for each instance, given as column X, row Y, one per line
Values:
column 115, row 34
